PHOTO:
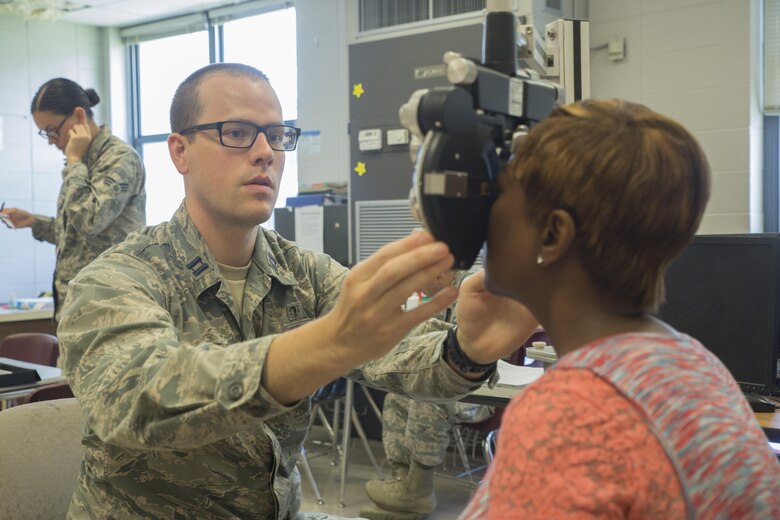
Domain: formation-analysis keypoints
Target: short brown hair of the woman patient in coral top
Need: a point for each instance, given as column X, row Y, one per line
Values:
column 635, row 182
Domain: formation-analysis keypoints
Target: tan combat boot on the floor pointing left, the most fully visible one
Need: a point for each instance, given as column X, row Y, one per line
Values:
column 414, row 494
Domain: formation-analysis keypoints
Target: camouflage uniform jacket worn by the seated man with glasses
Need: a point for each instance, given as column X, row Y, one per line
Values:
column 168, row 374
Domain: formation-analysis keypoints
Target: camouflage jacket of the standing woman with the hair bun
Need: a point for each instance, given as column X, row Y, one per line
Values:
column 101, row 200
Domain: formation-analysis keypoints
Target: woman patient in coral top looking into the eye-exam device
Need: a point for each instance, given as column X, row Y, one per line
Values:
column 636, row 420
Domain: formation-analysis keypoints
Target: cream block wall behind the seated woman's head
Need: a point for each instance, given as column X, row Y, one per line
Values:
column 697, row 62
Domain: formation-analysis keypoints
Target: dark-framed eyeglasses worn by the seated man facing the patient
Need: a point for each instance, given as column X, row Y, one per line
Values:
column 241, row 134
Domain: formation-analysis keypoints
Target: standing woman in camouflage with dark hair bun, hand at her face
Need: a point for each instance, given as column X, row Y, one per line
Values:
column 102, row 197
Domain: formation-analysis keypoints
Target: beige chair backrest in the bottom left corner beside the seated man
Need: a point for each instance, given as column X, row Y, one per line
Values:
column 40, row 456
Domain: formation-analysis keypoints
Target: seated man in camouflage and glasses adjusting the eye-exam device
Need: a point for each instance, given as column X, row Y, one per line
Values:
column 195, row 345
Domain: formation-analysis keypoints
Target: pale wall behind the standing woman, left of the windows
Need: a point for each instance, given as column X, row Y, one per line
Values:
column 34, row 52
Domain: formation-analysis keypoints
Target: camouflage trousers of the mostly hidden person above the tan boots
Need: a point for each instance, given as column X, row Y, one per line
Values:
column 420, row 431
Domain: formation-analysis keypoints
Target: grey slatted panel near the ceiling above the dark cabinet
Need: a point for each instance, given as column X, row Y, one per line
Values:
column 377, row 14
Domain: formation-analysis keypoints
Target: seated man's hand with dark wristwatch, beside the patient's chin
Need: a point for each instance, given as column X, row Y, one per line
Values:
column 490, row 327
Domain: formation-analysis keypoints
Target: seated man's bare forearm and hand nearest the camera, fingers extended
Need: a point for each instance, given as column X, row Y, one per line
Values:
column 366, row 322
